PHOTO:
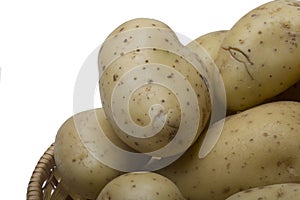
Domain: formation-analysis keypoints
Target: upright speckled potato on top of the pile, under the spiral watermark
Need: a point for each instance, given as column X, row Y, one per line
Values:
column 155, row 97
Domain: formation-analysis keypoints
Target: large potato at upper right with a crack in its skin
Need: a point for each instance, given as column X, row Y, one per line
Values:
column 259, row 56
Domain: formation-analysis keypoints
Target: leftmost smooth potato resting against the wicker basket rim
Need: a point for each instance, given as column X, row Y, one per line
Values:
column 80, row 171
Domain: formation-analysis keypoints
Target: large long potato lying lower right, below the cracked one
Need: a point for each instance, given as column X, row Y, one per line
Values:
column 257, row 147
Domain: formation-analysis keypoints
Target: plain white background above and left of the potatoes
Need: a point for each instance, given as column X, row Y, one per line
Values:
column 43, row 45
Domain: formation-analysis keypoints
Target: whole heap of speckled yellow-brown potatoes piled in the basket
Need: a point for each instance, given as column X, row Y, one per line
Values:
column 160, row 100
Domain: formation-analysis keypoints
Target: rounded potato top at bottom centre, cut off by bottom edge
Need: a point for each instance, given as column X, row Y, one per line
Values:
column 140, row 186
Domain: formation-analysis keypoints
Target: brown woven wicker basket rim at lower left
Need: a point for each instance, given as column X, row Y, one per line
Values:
column 44, row 182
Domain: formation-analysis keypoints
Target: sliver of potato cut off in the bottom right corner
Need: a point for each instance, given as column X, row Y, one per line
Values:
column 286, row 191
